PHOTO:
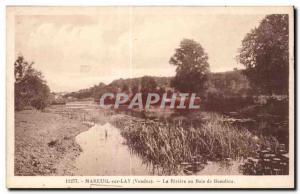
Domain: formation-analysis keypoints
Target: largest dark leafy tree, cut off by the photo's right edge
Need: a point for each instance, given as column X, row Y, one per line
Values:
column 265, row 55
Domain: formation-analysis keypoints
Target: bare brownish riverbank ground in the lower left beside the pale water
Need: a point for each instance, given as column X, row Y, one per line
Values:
column 45, row 143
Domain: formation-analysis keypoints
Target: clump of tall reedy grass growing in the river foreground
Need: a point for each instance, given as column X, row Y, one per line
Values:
column 169, row 144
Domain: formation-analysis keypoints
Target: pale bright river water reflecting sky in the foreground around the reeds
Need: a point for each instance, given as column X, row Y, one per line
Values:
column 105, row 153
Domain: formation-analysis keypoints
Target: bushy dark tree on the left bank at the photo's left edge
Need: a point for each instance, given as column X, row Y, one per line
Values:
column 30, row 87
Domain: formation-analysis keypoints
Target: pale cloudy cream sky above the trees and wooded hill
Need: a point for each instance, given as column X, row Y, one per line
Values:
column 76, row 51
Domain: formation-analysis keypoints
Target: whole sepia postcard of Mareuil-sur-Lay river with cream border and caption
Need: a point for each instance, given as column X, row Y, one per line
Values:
column 150, row 97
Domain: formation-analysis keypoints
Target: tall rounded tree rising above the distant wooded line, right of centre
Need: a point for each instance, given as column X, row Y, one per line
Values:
column 192, row 67
